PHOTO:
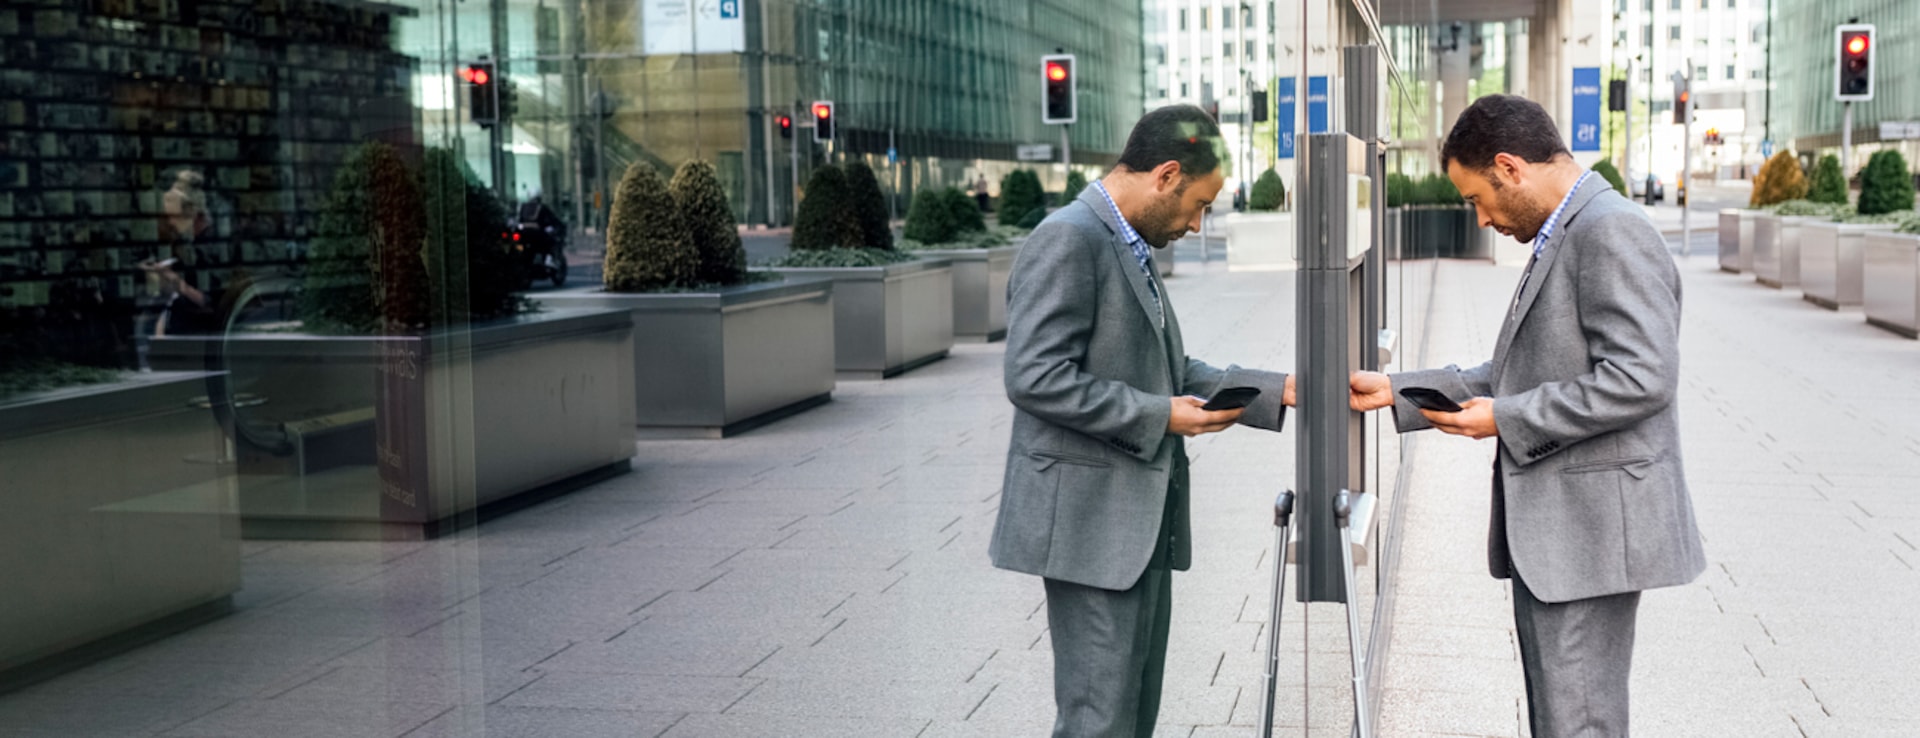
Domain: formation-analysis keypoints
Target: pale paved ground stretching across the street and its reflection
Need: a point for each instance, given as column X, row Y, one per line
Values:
column 827, row 576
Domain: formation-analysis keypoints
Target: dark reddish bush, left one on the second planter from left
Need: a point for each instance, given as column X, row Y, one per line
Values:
column 366, row 270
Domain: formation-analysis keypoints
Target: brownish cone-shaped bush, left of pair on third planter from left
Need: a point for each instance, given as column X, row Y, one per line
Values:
column 648, row 243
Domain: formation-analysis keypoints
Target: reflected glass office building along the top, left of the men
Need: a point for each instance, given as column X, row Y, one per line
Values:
column 951, row 86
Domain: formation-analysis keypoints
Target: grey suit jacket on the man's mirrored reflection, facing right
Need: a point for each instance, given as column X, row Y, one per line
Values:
column 1092, row 370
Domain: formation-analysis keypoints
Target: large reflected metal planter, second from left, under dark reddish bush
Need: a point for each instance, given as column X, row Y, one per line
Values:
column 408, row 437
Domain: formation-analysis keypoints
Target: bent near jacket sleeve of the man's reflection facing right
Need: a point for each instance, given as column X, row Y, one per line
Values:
column 1051, row 308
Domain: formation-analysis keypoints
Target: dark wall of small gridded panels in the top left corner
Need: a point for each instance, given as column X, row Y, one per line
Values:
column 103, row 107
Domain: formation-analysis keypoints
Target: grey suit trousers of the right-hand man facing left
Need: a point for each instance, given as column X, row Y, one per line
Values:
column 1577, row 656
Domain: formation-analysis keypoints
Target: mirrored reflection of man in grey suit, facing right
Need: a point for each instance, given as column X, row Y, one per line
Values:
column 1105, row 395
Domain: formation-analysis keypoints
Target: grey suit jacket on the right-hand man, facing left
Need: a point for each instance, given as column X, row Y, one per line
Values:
column 1583, row 381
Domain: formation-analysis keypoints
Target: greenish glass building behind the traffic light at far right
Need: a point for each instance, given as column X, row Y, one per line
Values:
column 1806, row 114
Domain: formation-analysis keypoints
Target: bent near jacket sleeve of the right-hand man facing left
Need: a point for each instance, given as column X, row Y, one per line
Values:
column 1629, row 301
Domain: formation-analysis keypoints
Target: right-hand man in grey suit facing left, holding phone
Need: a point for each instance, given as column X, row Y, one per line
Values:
column 1591, row 501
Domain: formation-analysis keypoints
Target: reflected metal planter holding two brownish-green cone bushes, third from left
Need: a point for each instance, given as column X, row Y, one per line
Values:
column 725, row 362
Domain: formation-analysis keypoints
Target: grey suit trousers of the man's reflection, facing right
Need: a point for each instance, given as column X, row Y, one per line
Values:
column 1111, row 651
